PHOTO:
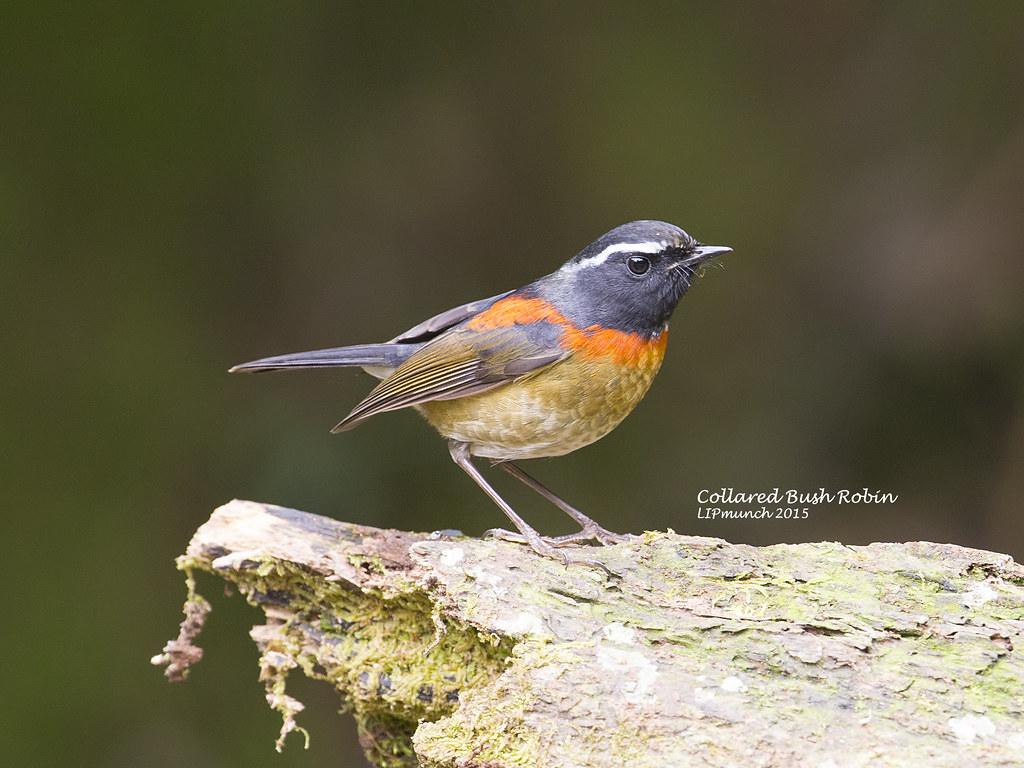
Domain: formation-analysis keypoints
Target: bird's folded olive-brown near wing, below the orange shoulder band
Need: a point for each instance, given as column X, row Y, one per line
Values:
column 460, row 363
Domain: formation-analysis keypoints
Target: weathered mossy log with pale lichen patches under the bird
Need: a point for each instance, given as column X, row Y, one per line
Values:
column 680, row 652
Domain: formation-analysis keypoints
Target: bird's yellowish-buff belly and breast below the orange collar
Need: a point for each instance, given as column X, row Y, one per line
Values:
column 564, row 408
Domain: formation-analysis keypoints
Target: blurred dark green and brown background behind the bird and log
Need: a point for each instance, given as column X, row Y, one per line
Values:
column 188, row 186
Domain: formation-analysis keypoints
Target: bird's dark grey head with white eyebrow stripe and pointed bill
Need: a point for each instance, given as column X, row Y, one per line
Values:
column 630, row 279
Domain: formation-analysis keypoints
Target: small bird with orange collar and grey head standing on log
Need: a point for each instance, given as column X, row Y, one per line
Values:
column 537, row 372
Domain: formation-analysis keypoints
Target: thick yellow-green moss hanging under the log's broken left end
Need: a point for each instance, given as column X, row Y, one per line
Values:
column 396, row 660
